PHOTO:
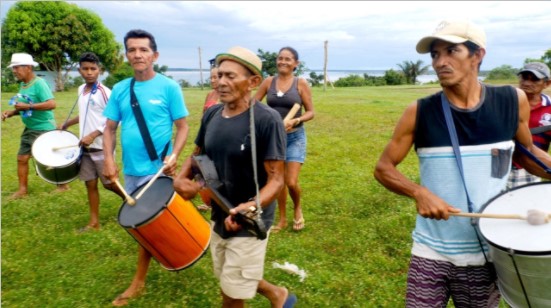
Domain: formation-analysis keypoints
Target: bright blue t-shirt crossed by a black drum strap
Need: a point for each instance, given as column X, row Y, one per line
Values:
column 162, row 102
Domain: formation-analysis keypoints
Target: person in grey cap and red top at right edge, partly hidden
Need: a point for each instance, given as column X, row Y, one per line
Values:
column 533, row 79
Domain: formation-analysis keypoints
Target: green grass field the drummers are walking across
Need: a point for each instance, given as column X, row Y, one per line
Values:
column 355, row 247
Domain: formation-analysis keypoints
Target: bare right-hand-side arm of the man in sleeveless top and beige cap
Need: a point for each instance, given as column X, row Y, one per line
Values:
column 524, row 137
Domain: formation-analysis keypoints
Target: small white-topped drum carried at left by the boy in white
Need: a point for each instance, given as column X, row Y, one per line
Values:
column 57, row 156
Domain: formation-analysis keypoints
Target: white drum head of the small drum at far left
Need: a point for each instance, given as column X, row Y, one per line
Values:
column 43, row 148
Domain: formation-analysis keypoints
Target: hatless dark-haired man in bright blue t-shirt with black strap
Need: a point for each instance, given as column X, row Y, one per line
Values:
column 162, row 104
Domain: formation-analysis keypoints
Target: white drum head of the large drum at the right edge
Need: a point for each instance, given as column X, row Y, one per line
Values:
column 516, row 234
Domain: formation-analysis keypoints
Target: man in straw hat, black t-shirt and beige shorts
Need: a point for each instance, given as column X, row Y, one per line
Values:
column 225, row 137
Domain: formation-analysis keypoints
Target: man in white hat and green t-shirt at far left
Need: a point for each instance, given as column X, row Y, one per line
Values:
column 34, row 103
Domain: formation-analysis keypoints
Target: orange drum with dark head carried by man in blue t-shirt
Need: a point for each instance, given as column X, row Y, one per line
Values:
column 166, row 225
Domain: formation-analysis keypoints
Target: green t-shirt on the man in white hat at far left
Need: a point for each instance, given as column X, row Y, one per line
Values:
column 39, row 92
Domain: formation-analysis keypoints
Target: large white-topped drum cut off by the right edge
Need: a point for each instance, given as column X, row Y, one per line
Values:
column 521, row 252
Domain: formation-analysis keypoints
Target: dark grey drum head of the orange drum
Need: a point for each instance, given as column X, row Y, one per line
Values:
column 153, row 201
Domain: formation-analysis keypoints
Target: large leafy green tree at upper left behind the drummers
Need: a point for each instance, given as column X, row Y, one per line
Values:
column 56, row 33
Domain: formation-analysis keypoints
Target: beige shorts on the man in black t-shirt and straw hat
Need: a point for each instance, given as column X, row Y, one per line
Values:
column 238, row 264
